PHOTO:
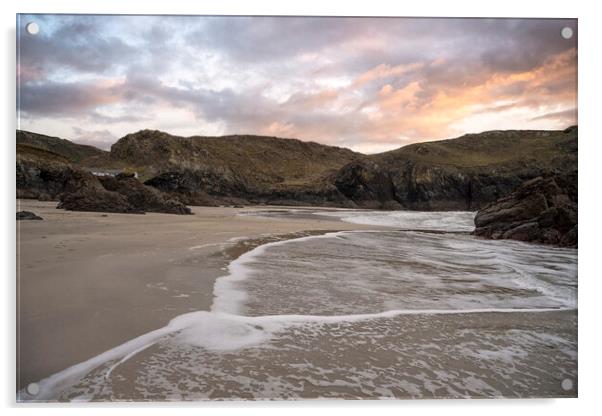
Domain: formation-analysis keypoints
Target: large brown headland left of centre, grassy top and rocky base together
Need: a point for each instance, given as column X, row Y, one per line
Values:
column 237, row 169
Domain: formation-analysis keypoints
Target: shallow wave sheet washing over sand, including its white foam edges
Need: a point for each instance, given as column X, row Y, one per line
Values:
column 387, row 269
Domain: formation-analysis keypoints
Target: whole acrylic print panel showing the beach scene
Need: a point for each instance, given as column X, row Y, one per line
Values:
column 225, row 208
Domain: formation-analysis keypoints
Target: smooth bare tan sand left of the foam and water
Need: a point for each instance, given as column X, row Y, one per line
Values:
column 88, row 282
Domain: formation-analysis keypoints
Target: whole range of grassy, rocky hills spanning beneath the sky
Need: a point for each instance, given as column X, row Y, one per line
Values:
column 465, row 173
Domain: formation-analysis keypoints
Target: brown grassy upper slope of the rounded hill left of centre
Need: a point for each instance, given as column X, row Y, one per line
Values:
column 260, row 159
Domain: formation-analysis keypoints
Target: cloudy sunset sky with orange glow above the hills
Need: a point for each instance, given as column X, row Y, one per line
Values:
column 369, row 84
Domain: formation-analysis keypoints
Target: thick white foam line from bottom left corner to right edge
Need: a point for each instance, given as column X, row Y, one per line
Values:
column 216, row 331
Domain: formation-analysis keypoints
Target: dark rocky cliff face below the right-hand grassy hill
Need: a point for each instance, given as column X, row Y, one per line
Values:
column 419, row 186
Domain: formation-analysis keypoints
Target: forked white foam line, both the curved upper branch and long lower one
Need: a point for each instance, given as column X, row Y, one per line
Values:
column 225, row 328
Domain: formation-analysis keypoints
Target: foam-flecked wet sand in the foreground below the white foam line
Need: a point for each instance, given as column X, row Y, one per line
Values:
column 485, row 355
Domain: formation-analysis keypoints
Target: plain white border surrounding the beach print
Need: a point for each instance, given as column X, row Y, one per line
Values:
column 589, row 159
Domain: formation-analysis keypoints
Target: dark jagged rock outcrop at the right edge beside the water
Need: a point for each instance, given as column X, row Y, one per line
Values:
column 542, row 210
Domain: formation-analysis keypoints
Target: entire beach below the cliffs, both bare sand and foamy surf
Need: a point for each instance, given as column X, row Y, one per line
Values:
column 273, row 303
